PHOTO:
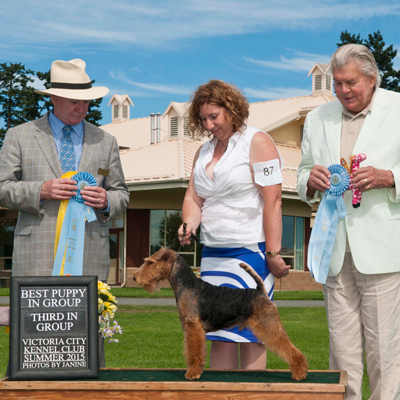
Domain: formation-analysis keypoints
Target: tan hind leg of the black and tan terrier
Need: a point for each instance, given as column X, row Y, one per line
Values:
column 267, row 326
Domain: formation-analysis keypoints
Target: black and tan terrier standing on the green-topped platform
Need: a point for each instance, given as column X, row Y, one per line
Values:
column 206, row 308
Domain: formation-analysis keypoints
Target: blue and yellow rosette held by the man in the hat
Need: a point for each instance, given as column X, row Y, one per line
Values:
column 69, row 255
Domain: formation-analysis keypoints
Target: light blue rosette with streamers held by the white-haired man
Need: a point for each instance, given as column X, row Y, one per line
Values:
column 331, row 209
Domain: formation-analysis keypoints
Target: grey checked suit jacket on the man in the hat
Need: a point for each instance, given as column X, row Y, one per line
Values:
column 28, row 158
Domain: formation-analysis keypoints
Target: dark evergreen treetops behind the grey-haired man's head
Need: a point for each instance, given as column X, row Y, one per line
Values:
column 383, row 56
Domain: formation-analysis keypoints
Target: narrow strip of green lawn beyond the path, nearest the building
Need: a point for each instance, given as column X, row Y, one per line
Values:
column 139, row 292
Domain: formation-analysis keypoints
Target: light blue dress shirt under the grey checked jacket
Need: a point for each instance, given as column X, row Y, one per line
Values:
column 77, row 132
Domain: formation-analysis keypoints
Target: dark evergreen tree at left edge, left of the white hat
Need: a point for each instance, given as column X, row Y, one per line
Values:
column 19, row 103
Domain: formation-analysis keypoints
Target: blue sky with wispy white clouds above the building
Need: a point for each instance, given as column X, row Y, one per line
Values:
column 158, row 51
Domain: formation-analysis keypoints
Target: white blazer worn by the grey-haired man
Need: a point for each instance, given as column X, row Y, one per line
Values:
column 373, row 229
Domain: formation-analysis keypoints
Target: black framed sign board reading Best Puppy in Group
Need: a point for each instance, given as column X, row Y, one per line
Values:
column 54, row 328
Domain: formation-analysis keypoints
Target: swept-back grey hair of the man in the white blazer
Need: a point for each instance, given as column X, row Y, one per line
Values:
column 359, row 53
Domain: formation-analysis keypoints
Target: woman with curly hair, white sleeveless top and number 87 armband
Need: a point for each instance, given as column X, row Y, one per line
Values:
column 234, row 193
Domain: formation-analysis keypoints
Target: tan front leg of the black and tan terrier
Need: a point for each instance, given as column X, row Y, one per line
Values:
column 195, row 348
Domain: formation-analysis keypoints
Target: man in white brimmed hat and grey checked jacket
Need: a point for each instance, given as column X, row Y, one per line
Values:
column 32, row 161
